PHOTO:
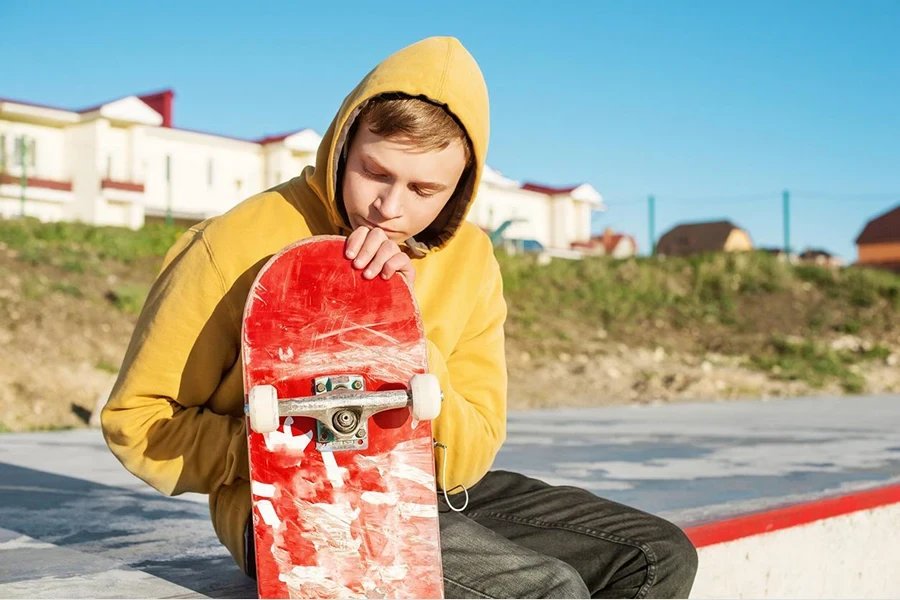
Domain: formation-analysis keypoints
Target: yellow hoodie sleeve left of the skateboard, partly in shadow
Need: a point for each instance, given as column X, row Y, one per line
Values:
column 186, row 339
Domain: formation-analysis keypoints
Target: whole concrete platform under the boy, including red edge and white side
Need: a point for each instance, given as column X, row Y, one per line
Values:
column 791, row 498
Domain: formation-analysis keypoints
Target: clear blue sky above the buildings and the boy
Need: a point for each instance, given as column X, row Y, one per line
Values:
column 712, row 107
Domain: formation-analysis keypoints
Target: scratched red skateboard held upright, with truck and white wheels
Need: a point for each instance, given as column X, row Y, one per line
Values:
column 339, row 403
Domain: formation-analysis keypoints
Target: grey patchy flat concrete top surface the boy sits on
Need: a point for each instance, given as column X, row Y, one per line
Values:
column 74, row 523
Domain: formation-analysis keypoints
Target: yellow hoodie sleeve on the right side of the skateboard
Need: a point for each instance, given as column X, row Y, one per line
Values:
column 472, row 423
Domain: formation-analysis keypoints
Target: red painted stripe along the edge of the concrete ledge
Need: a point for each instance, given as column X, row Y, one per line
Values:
column 791, row 516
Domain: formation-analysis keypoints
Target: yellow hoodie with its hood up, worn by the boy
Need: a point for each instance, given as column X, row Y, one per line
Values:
column 175, row 417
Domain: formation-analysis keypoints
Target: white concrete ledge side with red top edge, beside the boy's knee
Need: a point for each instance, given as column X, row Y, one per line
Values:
column 842, row 547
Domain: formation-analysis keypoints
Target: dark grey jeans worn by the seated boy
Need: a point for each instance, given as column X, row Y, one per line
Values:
column 522, row 538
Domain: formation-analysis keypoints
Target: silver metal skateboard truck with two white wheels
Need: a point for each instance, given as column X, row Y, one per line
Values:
column 341, row 407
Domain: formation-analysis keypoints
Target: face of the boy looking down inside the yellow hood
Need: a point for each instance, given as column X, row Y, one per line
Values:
column 393, row 185
